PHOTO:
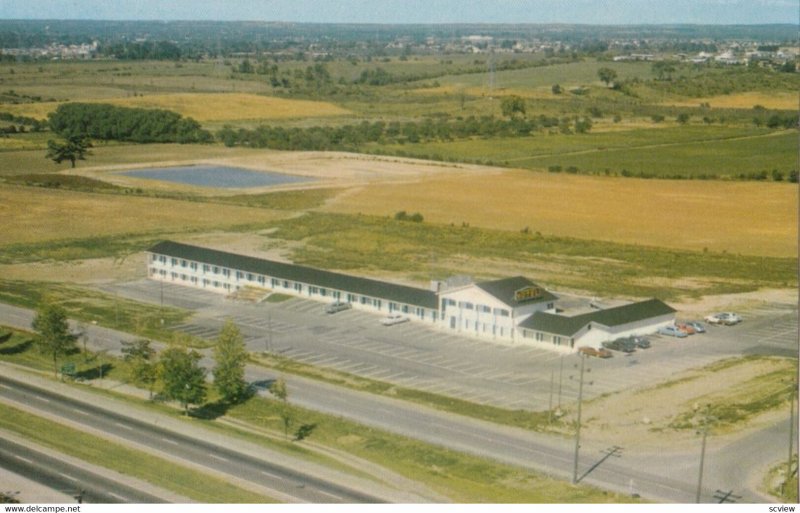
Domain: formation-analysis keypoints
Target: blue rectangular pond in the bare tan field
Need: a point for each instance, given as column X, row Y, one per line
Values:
column 216, row 176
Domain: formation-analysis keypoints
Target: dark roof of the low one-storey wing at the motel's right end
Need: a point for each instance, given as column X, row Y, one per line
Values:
column 568, row 326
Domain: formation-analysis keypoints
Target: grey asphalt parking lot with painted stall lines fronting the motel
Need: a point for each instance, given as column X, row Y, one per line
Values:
column 422, row 357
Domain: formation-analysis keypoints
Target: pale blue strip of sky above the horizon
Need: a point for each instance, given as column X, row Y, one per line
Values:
column 624, row 12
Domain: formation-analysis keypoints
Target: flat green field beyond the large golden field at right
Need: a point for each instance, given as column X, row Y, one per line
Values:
column 690, row 152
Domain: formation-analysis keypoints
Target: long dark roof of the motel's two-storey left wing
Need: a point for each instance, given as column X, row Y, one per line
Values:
column 298, row 273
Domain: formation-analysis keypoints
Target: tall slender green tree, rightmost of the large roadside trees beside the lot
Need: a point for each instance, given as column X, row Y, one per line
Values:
column 231, row 356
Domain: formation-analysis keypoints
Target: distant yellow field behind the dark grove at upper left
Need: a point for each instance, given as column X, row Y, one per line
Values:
column 205, row 106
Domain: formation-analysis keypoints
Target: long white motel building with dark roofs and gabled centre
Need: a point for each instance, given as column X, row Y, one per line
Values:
column 510, row 310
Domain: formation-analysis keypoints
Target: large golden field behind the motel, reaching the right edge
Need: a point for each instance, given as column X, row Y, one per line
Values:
column 740, row 217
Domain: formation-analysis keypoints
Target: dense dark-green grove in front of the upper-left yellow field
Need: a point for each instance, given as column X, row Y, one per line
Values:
column 109, row 122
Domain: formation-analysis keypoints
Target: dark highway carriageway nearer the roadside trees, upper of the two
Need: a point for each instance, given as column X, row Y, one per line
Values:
column 286, row 481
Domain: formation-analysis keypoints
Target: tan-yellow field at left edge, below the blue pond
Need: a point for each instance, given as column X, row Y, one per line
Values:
column 33, row 215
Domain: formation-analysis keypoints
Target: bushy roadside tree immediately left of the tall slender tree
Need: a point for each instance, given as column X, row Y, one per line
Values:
column 184, row 380
